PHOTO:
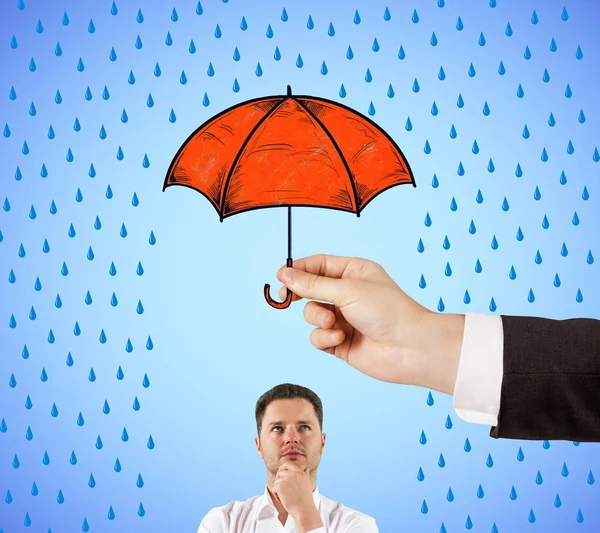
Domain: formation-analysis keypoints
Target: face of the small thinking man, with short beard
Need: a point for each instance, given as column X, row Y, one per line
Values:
column 290, row 432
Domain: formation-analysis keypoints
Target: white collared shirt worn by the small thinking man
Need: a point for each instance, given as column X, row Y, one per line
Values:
column 258, row 515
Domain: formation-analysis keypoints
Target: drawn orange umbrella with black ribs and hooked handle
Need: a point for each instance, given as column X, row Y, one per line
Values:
column 288, row 150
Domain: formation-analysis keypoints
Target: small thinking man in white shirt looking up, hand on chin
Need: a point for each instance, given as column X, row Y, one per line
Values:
column 289, row 421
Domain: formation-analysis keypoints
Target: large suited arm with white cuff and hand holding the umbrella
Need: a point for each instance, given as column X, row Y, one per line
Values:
column 527, row 377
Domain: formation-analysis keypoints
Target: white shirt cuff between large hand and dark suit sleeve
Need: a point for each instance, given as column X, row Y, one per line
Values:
column 479, row 377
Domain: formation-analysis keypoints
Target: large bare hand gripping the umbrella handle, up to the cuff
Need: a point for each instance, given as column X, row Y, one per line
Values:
column 372, row 324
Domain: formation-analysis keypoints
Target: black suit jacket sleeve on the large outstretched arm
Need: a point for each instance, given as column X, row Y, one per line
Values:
column 551, row 380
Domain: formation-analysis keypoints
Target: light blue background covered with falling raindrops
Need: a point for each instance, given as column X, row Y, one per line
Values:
column 195, row 323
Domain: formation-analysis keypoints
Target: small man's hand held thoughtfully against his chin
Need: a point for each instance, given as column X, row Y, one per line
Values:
column 293, row 488
